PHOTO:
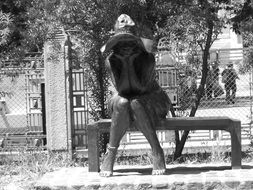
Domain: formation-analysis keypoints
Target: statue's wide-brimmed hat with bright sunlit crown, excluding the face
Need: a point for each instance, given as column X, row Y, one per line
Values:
column 123, row 32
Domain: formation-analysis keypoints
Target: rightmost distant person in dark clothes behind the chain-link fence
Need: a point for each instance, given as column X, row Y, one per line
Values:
column 229, row 77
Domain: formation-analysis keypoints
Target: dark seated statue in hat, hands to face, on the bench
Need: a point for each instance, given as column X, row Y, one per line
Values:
column 139, row 101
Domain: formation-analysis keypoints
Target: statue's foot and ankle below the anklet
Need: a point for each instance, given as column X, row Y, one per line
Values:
column 108, row 162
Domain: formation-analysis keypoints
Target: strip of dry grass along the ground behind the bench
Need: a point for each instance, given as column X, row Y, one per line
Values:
column 23, row 168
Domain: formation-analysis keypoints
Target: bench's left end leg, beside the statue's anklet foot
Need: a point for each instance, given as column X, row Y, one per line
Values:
column 93, row 150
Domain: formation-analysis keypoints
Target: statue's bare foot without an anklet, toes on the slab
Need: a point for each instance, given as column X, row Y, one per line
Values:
column 159, row 167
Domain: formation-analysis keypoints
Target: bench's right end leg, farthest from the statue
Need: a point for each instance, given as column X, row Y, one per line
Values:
column 236, row 154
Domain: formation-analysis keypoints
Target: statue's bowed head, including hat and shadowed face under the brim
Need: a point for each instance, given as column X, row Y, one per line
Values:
column 124, row 38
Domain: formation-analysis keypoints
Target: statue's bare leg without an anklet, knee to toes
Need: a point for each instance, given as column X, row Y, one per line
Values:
column 144, row 124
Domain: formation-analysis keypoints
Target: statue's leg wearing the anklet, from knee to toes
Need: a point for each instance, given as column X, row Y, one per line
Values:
column 120, row 123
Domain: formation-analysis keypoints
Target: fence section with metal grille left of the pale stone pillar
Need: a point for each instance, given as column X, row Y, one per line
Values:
column 20, row 100
